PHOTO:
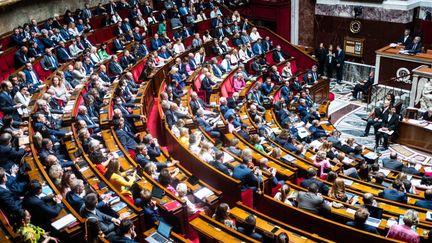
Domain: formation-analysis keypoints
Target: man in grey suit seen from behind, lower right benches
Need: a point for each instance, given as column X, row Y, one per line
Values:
column 311, row 201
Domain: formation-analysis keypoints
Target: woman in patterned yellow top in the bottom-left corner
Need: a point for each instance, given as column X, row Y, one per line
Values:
column 30, row 233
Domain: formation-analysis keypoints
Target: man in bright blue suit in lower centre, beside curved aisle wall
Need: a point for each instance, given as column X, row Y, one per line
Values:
column 250, row 179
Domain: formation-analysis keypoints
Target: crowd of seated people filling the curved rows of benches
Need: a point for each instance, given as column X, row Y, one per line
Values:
column 14, row 100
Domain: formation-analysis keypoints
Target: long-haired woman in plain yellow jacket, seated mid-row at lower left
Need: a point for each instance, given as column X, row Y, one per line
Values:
column 121, row 181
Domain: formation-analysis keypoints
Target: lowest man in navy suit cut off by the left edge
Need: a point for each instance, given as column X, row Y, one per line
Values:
column 10, row 202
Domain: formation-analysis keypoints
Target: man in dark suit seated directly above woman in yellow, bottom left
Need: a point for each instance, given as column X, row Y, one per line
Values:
column 43, row 209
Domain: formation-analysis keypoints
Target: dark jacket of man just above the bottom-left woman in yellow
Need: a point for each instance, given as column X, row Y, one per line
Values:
column 42, row 209
